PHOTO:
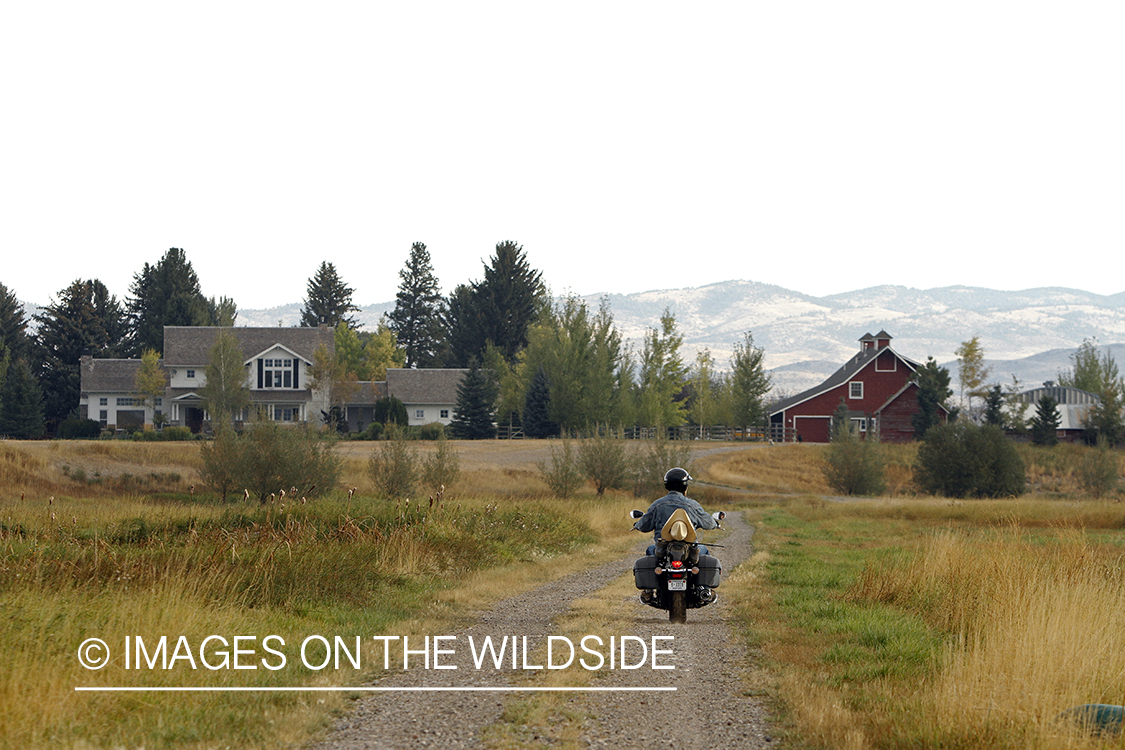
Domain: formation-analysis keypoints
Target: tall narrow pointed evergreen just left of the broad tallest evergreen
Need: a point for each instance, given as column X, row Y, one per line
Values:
column 417, row 318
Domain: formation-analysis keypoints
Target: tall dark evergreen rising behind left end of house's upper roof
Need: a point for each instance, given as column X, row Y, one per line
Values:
column 165, row 295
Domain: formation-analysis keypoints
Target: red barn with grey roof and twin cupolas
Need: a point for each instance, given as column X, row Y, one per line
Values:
column 877, row 388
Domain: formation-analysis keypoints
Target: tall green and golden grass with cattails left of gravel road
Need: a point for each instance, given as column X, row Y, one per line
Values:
column 74, row 570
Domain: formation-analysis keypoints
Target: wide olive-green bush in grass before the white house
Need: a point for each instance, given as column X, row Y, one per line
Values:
column 269, row 458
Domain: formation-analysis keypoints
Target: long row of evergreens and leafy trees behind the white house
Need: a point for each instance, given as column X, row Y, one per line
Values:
column 548, row 367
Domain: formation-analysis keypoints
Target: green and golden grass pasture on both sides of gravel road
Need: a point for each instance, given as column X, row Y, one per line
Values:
column 890, row 622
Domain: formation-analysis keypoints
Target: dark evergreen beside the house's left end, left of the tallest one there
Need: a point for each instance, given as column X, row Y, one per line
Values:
column 86, row 320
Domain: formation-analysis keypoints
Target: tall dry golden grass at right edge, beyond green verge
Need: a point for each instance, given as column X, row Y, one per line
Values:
column 1034, row 628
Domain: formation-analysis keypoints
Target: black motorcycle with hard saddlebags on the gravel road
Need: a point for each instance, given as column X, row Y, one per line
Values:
column 678, row 579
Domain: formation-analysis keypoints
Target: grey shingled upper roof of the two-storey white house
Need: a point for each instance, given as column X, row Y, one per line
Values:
column 191, row 346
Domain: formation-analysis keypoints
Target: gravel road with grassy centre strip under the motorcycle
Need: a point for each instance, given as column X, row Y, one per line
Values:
column 708, row 709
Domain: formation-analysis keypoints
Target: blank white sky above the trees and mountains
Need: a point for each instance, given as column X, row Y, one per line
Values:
column 823, row 147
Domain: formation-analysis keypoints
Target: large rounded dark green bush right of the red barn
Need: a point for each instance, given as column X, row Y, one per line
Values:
column 967, row 460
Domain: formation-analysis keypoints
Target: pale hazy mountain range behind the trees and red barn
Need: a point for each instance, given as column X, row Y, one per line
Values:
column 1030, row 335
